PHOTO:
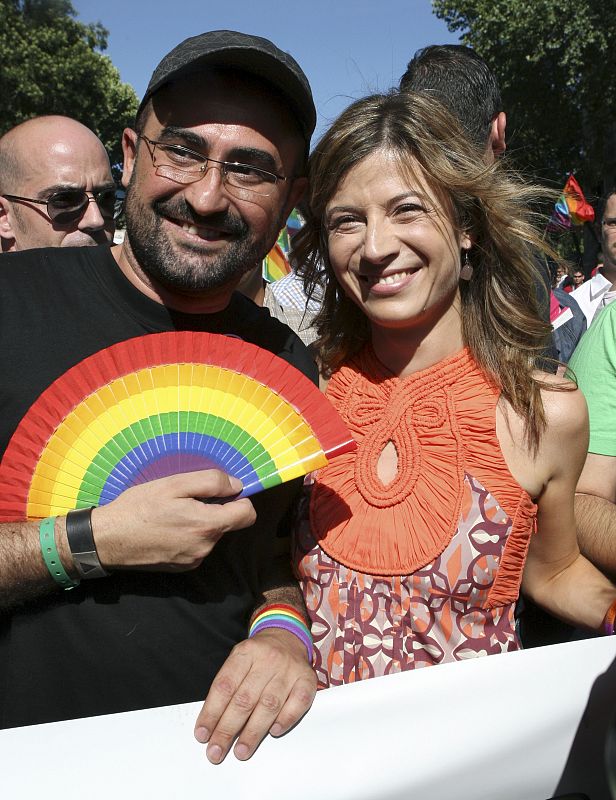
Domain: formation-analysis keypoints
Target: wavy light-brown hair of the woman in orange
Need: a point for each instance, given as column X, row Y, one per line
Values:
column 500, row 317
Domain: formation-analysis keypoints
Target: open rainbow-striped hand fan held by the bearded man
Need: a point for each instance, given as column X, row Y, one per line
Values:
column 160, row 405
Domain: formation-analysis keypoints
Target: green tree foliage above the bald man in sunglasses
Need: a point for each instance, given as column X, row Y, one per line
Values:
column 50, row 63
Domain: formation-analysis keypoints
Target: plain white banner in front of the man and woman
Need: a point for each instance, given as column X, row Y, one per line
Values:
column 518, row 726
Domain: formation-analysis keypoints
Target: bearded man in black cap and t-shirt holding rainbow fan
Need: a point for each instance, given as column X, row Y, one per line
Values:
column 163, row 585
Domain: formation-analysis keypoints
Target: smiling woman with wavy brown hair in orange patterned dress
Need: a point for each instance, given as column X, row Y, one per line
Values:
column 416, row 545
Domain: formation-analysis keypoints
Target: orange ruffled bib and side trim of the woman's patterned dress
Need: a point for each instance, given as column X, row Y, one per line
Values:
column 442, row 422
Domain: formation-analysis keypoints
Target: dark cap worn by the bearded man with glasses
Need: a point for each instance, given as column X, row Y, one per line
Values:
column 250, row 54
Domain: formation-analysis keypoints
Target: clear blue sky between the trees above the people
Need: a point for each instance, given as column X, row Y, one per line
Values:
column 347, row 48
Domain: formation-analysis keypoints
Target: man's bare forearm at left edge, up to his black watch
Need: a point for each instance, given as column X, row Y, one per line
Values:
column 23, row 574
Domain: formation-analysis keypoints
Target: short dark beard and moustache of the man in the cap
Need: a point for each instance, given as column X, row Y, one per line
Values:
column 192, row 270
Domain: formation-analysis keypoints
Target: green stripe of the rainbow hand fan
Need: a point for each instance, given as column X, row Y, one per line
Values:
column 171, row 422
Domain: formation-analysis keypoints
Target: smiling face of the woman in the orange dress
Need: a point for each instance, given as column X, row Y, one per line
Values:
column 394, row 250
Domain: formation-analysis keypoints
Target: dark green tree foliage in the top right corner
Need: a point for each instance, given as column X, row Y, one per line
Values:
column 555, row 61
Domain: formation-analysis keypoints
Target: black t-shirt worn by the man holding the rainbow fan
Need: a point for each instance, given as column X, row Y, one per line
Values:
column 135, row 639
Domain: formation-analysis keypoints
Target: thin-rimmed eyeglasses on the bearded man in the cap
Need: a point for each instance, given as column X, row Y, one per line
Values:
column 180, row 164
